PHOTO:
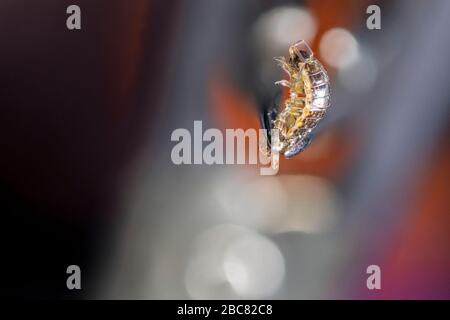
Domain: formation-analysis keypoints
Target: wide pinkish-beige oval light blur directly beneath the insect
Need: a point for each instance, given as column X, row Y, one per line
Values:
column 289, row 203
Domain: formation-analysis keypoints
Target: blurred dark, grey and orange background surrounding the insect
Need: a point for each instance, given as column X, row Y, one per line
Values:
column 87, row 178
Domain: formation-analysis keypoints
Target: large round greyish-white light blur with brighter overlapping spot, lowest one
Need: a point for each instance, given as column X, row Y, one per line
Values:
column 231, row 261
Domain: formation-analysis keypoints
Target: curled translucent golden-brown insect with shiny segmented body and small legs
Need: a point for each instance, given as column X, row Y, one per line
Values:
column 308, row 101
